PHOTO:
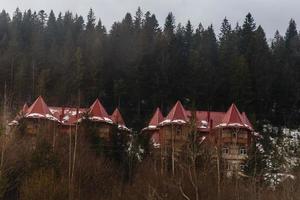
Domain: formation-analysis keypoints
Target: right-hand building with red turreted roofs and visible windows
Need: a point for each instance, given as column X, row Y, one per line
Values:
column 231, row 133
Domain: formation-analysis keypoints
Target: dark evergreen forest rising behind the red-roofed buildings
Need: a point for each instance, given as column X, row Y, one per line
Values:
column 138, row 65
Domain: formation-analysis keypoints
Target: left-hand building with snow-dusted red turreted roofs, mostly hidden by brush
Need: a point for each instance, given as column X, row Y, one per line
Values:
column 40, row 117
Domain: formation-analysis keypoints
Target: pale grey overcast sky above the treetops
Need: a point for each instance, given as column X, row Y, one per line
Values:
column 271, row 14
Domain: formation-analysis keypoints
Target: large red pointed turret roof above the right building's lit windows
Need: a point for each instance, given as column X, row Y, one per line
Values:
column 233, row 117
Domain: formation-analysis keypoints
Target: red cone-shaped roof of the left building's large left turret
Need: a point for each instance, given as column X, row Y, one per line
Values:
column 38, row 107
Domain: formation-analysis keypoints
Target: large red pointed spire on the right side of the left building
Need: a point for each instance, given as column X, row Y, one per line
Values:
column 98, row 113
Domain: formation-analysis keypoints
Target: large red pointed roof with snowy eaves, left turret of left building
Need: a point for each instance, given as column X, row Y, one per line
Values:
column 39, row 109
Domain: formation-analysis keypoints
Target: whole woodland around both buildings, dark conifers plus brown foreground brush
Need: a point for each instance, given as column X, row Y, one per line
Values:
column 138, row 65
